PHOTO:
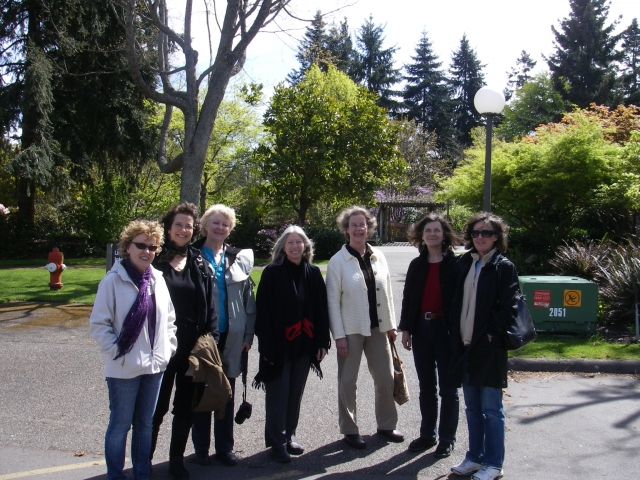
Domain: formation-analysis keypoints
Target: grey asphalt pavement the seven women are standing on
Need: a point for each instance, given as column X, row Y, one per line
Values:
column 54, row 412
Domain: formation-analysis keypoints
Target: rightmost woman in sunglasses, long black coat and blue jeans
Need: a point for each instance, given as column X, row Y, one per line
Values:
column 483, row 308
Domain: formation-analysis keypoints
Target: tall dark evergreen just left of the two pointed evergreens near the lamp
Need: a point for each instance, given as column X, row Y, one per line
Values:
column 373, row 65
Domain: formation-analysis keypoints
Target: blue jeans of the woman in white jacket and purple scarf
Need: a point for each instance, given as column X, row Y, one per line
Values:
column 132, row 401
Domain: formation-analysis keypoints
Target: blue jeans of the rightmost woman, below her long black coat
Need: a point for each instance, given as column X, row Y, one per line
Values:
column 486, row 423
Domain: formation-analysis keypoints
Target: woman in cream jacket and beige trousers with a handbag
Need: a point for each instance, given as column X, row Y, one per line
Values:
column 362, row 320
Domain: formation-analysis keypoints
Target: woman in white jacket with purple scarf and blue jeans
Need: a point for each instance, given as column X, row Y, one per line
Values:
column 133, row 322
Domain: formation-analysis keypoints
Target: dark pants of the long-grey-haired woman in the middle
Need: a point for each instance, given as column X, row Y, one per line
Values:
column 283, row 399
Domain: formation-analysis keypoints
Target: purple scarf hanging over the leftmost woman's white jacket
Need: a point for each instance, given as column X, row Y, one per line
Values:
column 134, row 321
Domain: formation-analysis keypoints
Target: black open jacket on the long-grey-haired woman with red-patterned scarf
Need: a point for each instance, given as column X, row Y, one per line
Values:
column 277, row 307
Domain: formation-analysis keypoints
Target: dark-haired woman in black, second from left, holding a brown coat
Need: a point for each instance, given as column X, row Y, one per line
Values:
column 190, row 284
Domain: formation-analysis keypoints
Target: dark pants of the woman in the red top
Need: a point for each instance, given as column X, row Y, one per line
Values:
column 431, row 347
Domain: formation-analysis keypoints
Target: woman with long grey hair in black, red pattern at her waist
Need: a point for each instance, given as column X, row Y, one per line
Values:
column 292, row 326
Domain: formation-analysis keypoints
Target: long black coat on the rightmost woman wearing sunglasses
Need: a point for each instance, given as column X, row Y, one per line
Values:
column 496, row 307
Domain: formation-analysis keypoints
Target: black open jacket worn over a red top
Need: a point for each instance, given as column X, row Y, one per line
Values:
column 414, row 286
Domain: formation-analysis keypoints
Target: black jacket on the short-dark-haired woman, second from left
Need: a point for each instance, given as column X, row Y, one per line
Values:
column 202, row 278
